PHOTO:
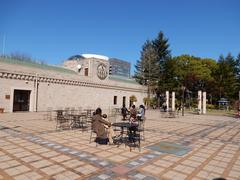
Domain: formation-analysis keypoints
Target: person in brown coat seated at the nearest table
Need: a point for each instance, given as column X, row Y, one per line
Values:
column 98, row 124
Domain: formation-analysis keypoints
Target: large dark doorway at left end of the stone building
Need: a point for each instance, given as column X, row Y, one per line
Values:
column 21, row 100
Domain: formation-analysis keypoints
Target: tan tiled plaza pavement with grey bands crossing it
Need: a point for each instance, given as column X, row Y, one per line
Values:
column 30, row 148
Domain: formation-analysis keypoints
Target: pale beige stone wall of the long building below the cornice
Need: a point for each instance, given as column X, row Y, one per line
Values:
column 62, row 95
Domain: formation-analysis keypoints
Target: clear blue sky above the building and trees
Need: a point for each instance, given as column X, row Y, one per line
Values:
column 54, row 30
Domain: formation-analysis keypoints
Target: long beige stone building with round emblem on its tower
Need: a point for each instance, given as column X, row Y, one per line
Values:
column 83, row 81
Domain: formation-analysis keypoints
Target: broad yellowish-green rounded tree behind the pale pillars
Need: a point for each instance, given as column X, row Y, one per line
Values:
column 195, row 74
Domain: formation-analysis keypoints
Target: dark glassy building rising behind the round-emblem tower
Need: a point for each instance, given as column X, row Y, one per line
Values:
column 119, row 67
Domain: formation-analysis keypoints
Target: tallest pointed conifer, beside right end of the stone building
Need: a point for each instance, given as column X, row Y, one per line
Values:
column 151, row 68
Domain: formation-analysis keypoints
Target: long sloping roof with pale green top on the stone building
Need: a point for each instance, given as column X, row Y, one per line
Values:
column 31, row 68
